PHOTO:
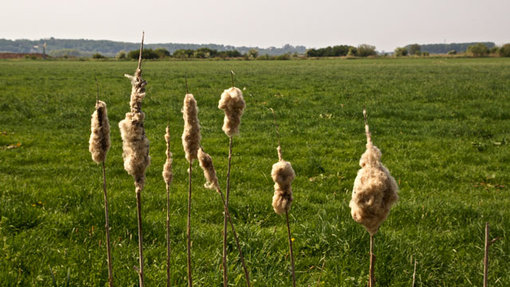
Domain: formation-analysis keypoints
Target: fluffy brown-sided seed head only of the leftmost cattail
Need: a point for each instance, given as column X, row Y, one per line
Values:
column 99, row 142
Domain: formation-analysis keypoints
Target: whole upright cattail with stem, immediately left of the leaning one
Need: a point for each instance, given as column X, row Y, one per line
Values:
column 191, row 143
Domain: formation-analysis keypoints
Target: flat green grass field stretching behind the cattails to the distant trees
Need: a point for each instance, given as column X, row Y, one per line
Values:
column 443, row 126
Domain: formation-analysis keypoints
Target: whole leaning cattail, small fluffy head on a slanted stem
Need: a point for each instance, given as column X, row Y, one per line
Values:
column 205, row 161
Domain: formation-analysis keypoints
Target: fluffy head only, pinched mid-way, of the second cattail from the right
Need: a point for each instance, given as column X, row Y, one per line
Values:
column 283, row 175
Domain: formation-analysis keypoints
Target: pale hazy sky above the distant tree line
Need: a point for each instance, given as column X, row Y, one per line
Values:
column 313, row 23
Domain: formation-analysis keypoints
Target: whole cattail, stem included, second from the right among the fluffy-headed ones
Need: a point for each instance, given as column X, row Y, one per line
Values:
column 283, row 174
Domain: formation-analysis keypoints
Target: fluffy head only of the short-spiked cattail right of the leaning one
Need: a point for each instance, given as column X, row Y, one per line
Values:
column 233, row 104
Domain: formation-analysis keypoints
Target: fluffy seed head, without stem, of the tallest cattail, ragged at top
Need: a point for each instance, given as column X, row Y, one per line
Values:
column 135, row 145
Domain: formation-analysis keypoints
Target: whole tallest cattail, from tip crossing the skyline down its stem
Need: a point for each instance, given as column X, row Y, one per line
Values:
column 135, row 147
